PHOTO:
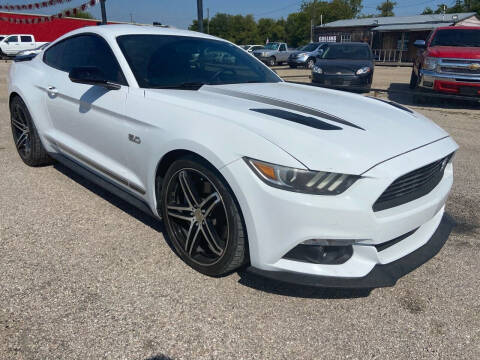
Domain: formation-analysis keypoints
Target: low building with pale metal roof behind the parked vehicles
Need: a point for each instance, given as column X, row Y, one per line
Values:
column 391, row 38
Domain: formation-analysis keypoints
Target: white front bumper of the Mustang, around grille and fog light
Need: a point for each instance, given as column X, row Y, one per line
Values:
column 277, row 220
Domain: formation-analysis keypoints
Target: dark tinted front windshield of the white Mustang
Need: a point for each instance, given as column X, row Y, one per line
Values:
column 162, row 61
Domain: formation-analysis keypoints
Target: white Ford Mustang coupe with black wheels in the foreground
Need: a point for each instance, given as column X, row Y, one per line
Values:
column 304, row 184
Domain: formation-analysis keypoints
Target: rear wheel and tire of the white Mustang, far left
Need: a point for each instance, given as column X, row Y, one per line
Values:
column 25, row 135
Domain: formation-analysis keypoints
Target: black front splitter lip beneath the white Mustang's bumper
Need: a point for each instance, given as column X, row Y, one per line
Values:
column 380, row 276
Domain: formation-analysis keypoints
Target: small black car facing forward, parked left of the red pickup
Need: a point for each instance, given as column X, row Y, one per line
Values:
column 346, row 66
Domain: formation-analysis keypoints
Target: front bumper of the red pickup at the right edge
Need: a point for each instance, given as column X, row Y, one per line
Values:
column 465, row 85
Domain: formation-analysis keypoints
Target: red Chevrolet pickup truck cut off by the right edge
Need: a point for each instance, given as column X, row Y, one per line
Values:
column 449, row 61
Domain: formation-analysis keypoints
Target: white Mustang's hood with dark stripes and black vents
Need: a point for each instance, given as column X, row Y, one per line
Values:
column 360, row 132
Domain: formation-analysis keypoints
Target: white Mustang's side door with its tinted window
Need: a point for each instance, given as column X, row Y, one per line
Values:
column 88, row 120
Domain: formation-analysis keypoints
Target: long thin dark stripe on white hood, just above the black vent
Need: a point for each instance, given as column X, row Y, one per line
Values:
column 283, row 104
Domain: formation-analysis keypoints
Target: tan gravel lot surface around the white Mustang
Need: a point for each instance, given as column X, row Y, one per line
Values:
column 84, row 275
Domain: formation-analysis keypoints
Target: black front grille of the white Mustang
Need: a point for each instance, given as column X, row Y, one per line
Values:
column 413, row 185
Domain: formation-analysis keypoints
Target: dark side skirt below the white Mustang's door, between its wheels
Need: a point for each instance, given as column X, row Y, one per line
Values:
column 103, row 182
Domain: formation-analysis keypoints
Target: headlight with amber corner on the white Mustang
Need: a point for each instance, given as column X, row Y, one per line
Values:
column 304, row 181
